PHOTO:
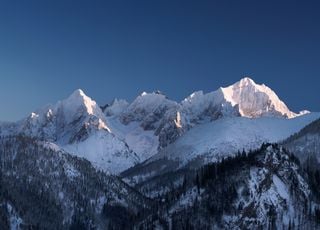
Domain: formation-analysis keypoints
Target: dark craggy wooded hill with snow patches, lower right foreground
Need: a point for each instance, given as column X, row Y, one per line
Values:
column 264, row 189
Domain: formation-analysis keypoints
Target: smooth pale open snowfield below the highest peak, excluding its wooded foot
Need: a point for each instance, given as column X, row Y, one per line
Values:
column 212, row 141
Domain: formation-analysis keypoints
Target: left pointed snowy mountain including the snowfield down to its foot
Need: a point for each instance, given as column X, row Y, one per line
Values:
column 78, row 125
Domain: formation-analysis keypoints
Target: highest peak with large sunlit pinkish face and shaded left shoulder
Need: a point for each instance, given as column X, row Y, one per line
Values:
column 244, row 98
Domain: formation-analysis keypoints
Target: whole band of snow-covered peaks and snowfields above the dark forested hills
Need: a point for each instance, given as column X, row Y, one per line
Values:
column 118, row 136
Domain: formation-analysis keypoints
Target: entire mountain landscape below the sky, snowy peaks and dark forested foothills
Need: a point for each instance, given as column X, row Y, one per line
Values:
column 150, row 162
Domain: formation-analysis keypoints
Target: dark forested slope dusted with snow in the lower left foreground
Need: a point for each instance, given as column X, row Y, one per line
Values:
column 50, row 189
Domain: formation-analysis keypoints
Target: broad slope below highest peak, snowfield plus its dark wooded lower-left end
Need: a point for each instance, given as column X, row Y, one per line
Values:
column 211, row 142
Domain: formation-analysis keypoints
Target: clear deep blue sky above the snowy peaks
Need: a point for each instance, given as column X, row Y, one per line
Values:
column 120, row 48
